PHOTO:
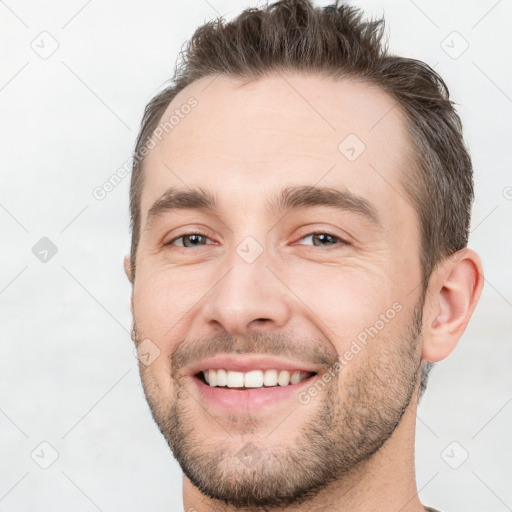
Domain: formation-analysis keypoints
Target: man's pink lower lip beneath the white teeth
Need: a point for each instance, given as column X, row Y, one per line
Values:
column 249, row 398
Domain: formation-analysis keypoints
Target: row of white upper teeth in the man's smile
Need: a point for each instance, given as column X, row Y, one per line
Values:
column 253, row 378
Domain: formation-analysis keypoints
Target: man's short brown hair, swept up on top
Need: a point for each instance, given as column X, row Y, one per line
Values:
column 335, row 41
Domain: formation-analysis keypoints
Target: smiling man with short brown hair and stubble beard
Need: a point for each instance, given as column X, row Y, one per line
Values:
column 300, row 205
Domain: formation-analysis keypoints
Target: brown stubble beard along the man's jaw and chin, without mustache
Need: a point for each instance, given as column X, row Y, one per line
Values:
column 352, row 419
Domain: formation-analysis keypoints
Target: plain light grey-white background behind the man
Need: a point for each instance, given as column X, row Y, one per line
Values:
column 68, row 373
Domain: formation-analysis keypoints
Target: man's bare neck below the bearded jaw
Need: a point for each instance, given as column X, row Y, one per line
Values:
column 384, row 483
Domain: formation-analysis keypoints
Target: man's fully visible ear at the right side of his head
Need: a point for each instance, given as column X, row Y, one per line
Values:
column 453, row 292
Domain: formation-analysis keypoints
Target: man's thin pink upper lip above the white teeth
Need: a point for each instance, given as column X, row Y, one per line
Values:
column 246, row 363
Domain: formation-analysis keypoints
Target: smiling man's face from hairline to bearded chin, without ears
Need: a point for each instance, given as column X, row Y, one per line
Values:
column 318, row 285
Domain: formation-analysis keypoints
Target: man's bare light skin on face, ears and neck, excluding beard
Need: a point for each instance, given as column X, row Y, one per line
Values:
column 243, row 144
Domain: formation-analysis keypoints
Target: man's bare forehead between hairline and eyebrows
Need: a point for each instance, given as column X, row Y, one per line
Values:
column 244, row 140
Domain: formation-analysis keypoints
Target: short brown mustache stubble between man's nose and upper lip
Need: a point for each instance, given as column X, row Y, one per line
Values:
column 303, row 349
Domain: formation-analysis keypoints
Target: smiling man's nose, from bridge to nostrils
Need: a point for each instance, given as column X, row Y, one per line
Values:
column 248, row 298
